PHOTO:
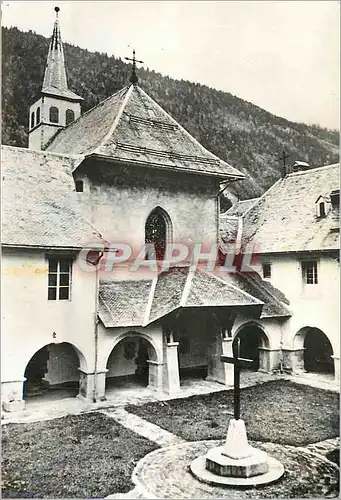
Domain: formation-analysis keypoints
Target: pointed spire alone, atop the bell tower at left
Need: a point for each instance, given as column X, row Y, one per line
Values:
column 55, row 74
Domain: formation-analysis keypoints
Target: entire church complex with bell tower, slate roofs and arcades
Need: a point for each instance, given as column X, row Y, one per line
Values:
column 93, row 298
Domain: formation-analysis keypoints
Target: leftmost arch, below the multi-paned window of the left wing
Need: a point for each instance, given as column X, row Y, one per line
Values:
column 53, row 365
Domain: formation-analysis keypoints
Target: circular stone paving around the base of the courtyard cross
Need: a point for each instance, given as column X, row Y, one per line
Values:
column 164, row 474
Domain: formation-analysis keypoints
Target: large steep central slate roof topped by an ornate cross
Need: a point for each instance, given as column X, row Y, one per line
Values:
column 129, row 127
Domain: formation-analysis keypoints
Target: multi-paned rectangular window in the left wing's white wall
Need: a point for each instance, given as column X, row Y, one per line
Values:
column 59, row 279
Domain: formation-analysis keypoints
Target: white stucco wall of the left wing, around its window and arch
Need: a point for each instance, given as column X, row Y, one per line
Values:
column 29, row 319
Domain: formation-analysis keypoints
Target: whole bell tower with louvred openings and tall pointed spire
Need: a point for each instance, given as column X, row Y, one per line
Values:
column 57, row 106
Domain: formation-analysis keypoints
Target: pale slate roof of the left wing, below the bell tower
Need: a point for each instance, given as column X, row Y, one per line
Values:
column 39, row 202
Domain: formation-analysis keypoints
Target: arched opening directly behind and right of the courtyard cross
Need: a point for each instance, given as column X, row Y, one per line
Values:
column 254, row 344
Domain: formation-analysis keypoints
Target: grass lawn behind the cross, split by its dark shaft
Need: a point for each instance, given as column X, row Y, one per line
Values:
column 278, row 411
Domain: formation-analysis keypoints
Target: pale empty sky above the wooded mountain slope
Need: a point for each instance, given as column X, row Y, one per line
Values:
column 283, row 56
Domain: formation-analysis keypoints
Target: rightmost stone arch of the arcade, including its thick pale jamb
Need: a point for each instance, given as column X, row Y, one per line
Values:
column 314, row 350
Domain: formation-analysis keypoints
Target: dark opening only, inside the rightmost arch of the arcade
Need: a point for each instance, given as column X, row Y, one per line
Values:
column 318, row 352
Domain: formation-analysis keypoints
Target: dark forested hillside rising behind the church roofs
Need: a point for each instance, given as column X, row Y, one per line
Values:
column 239, row 132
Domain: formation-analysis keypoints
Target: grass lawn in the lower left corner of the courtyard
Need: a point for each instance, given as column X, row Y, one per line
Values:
column 76, row 456
